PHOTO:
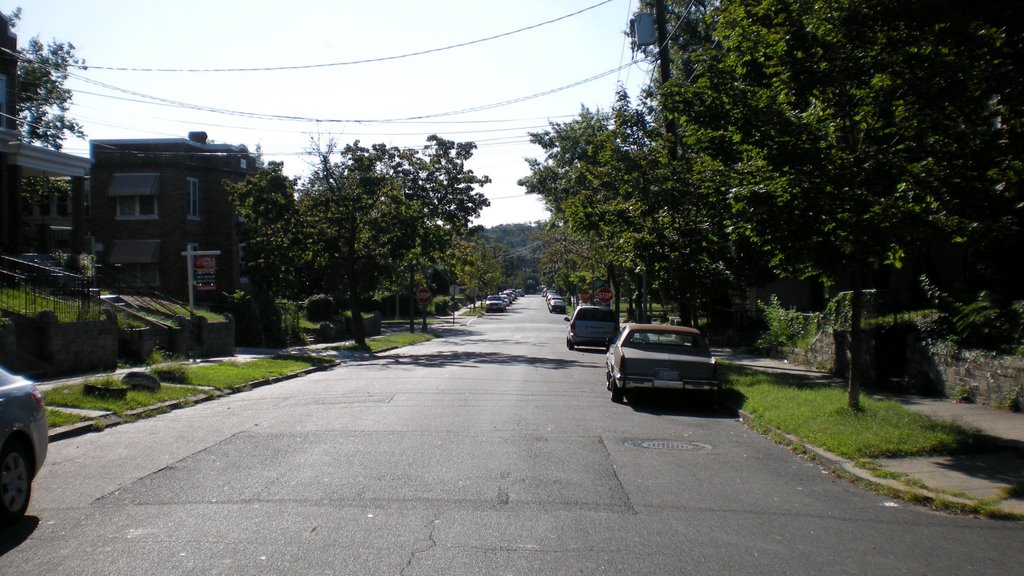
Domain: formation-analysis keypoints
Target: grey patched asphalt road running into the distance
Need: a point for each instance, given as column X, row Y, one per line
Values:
column 492, row 451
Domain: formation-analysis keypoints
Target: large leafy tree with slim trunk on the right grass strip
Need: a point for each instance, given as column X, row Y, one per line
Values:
column 859, row 131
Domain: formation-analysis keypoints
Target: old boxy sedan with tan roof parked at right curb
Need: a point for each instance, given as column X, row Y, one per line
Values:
column 650, row 356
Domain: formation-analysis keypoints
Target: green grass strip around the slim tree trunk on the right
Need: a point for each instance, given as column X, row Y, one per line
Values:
column 819, row 416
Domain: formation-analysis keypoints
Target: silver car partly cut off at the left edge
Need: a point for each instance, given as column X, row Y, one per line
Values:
column 23, row 443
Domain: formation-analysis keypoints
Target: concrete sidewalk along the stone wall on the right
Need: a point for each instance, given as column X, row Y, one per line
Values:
column 994, row 479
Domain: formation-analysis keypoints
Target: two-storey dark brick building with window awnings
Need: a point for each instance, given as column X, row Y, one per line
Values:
column 154, row 199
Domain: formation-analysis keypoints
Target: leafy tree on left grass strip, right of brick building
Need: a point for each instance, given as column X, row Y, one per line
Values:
column 376, row 211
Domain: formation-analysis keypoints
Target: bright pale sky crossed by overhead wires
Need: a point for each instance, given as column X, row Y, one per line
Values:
column 286, row 75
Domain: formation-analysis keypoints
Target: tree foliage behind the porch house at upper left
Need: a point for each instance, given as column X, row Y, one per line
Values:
column 44, row 101
